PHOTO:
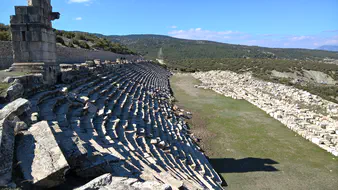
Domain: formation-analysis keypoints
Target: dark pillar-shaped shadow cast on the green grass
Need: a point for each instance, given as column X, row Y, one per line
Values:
column 231, row 165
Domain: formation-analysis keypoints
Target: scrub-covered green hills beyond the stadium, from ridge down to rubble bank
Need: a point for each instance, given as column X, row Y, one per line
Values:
column 196, row 55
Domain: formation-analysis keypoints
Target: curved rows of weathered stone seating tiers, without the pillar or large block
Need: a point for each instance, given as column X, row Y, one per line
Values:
column 121, row 121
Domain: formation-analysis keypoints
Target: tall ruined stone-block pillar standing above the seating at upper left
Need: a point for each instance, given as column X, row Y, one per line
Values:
column 34, row 41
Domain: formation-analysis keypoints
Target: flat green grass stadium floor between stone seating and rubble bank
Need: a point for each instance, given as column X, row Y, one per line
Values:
column 250, row 149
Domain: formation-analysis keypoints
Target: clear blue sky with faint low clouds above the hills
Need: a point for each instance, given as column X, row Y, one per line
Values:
column 271, row 23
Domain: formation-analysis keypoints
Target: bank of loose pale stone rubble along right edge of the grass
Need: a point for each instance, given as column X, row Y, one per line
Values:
column 306, row 114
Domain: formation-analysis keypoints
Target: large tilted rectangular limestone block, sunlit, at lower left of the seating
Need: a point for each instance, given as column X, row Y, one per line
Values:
column 41, row 160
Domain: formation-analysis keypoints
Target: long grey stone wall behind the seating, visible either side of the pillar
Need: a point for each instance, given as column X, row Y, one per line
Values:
column 64, row 55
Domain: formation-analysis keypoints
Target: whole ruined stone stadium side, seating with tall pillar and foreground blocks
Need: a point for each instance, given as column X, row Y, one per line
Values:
column 109, row 121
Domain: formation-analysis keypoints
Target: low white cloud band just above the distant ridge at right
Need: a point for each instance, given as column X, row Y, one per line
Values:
column 266, row 40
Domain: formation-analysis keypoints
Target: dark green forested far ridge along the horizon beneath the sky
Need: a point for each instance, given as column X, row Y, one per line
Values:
column 175, row 48
